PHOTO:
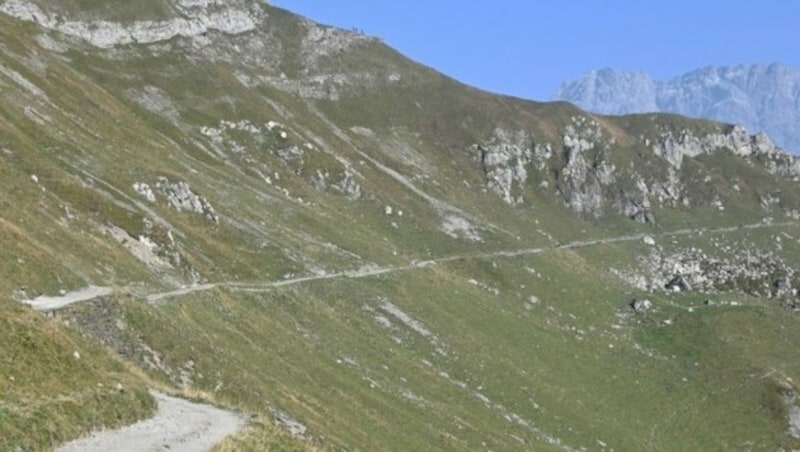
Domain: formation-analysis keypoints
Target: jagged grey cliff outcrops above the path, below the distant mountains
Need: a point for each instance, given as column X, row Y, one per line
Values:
column 590, row 184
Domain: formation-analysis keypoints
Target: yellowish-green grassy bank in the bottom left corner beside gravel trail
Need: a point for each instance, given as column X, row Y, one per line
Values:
column 47, row 395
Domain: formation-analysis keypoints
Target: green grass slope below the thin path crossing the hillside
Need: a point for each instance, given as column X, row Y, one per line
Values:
column 317, row 353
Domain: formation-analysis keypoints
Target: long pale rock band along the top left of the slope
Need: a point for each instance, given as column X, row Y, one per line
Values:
column 194, row 18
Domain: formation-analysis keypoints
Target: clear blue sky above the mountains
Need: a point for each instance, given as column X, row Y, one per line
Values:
column 528, row 47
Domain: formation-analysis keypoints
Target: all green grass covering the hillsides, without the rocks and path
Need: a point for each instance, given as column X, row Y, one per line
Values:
column 497, row 371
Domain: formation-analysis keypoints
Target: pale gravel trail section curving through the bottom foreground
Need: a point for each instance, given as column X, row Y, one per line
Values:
column 179, row 425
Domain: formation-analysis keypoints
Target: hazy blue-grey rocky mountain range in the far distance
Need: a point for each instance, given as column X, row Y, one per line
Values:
column 760, row 97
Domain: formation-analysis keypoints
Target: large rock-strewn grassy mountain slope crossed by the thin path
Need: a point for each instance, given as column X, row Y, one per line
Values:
column 308, row 227
